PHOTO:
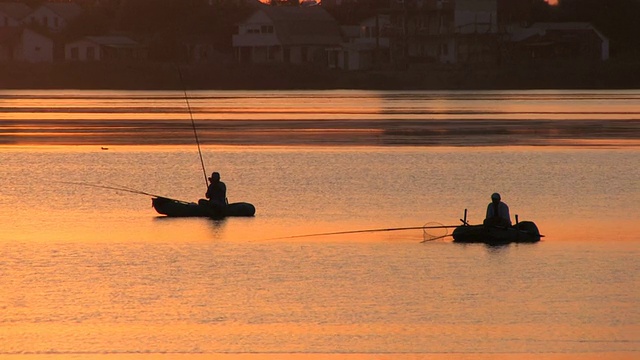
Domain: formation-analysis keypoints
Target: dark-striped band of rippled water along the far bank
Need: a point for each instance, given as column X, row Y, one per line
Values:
column 322, row 117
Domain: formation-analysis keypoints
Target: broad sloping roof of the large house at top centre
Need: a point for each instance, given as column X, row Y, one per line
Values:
column 311, row 25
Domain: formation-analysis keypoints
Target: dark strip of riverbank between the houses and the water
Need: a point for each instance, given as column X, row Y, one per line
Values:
column 613, row 74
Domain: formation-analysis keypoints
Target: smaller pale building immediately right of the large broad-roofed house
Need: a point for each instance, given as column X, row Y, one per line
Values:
column 366, row 45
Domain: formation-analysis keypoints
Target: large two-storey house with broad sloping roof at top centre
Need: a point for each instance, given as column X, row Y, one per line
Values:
column 286, row 34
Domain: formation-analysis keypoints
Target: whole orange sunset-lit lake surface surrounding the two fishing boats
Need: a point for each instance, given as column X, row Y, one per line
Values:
column 95, row 273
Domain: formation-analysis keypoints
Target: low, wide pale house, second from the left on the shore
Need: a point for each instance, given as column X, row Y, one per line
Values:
column 100, row 48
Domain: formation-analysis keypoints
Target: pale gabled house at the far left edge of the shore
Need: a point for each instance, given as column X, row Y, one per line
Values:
column 26, row 45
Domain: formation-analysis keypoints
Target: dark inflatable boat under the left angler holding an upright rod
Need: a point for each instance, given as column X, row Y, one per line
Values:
column 178, row 208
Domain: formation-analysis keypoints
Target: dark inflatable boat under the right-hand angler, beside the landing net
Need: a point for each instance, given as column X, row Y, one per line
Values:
column 521, row 232
